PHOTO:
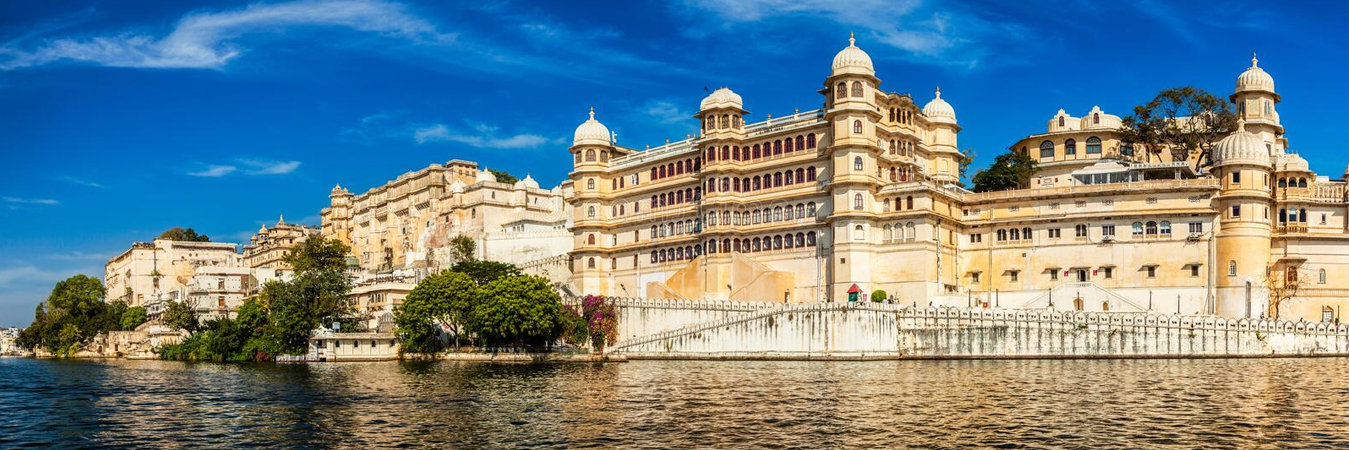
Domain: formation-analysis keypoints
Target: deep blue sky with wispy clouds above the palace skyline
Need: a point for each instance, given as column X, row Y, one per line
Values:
column 119, row 121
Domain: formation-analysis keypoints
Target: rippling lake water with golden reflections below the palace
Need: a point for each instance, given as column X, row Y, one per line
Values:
column 1265, row 404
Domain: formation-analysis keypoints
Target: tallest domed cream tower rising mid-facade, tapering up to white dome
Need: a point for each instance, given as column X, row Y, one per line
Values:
column 855, row 152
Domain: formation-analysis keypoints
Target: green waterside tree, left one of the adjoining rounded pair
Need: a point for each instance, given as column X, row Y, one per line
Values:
column 446, row 300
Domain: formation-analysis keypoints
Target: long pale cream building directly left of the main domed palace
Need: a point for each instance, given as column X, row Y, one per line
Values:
column 408, row 223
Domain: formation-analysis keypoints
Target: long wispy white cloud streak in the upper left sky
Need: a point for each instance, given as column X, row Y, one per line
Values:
column 211, row 40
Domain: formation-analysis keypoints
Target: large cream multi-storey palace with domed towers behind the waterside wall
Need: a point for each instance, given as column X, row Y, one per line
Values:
column 864, row 196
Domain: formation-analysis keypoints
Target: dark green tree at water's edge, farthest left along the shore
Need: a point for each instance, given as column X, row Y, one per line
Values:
column 71, row 316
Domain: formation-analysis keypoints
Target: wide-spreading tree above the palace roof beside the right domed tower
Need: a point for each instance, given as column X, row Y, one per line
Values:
column 1185, row 121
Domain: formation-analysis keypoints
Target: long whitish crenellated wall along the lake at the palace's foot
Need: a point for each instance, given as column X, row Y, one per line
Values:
column 872, row 331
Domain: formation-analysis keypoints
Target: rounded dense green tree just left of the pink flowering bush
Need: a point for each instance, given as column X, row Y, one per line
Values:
column 521, row 311
